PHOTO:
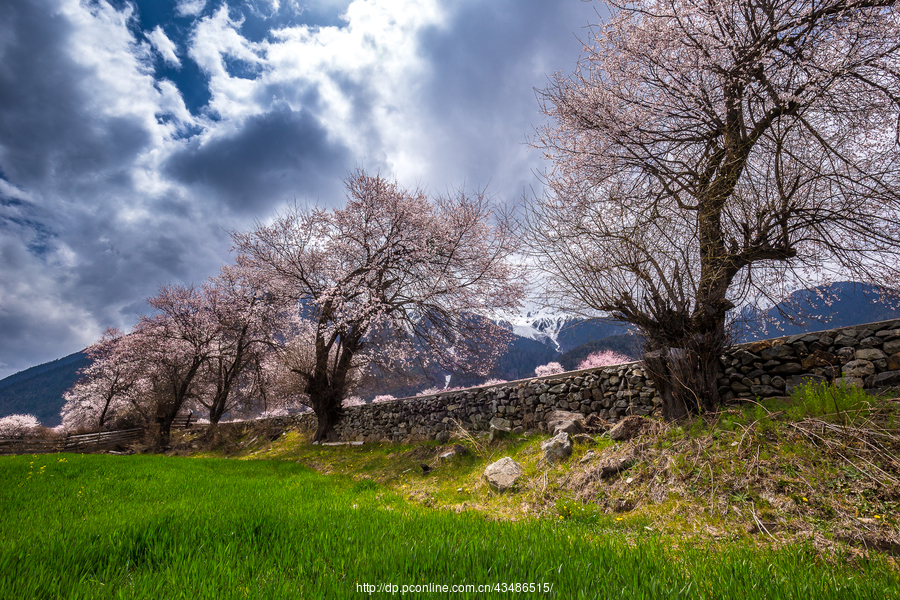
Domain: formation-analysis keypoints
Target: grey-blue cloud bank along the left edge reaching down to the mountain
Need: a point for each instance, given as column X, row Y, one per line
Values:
column 67, row 179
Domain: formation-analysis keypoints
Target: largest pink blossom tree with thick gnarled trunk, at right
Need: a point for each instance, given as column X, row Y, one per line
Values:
column 707, row 155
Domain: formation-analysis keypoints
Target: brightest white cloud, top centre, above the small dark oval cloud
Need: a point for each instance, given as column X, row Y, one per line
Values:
column 374, row 58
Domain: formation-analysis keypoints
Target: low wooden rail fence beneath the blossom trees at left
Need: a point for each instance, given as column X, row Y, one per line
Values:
column 84, row 442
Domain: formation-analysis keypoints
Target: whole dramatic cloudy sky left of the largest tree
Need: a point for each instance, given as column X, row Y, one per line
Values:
column 135, row 135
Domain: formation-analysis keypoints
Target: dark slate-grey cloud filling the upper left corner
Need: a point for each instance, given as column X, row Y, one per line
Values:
column 44, row 132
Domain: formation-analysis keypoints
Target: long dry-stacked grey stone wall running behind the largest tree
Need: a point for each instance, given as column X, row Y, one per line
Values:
column 864, row 355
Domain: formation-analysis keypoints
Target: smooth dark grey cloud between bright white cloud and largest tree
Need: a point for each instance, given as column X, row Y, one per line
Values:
column 485, row 65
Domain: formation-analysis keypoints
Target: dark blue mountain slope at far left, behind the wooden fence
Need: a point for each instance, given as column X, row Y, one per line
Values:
column 38, row 390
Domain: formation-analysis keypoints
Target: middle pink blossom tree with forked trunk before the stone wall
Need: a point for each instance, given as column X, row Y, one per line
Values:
column 395, row 277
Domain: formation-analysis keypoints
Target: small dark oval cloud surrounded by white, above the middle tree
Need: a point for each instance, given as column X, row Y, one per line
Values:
column 272, row 157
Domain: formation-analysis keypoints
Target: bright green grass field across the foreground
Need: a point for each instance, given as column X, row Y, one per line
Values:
column 86, row 526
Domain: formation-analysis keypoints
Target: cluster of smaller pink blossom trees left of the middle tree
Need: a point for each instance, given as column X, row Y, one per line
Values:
column 207, row 348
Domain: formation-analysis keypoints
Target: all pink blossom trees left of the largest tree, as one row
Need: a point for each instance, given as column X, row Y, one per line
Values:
column 319, row 303
